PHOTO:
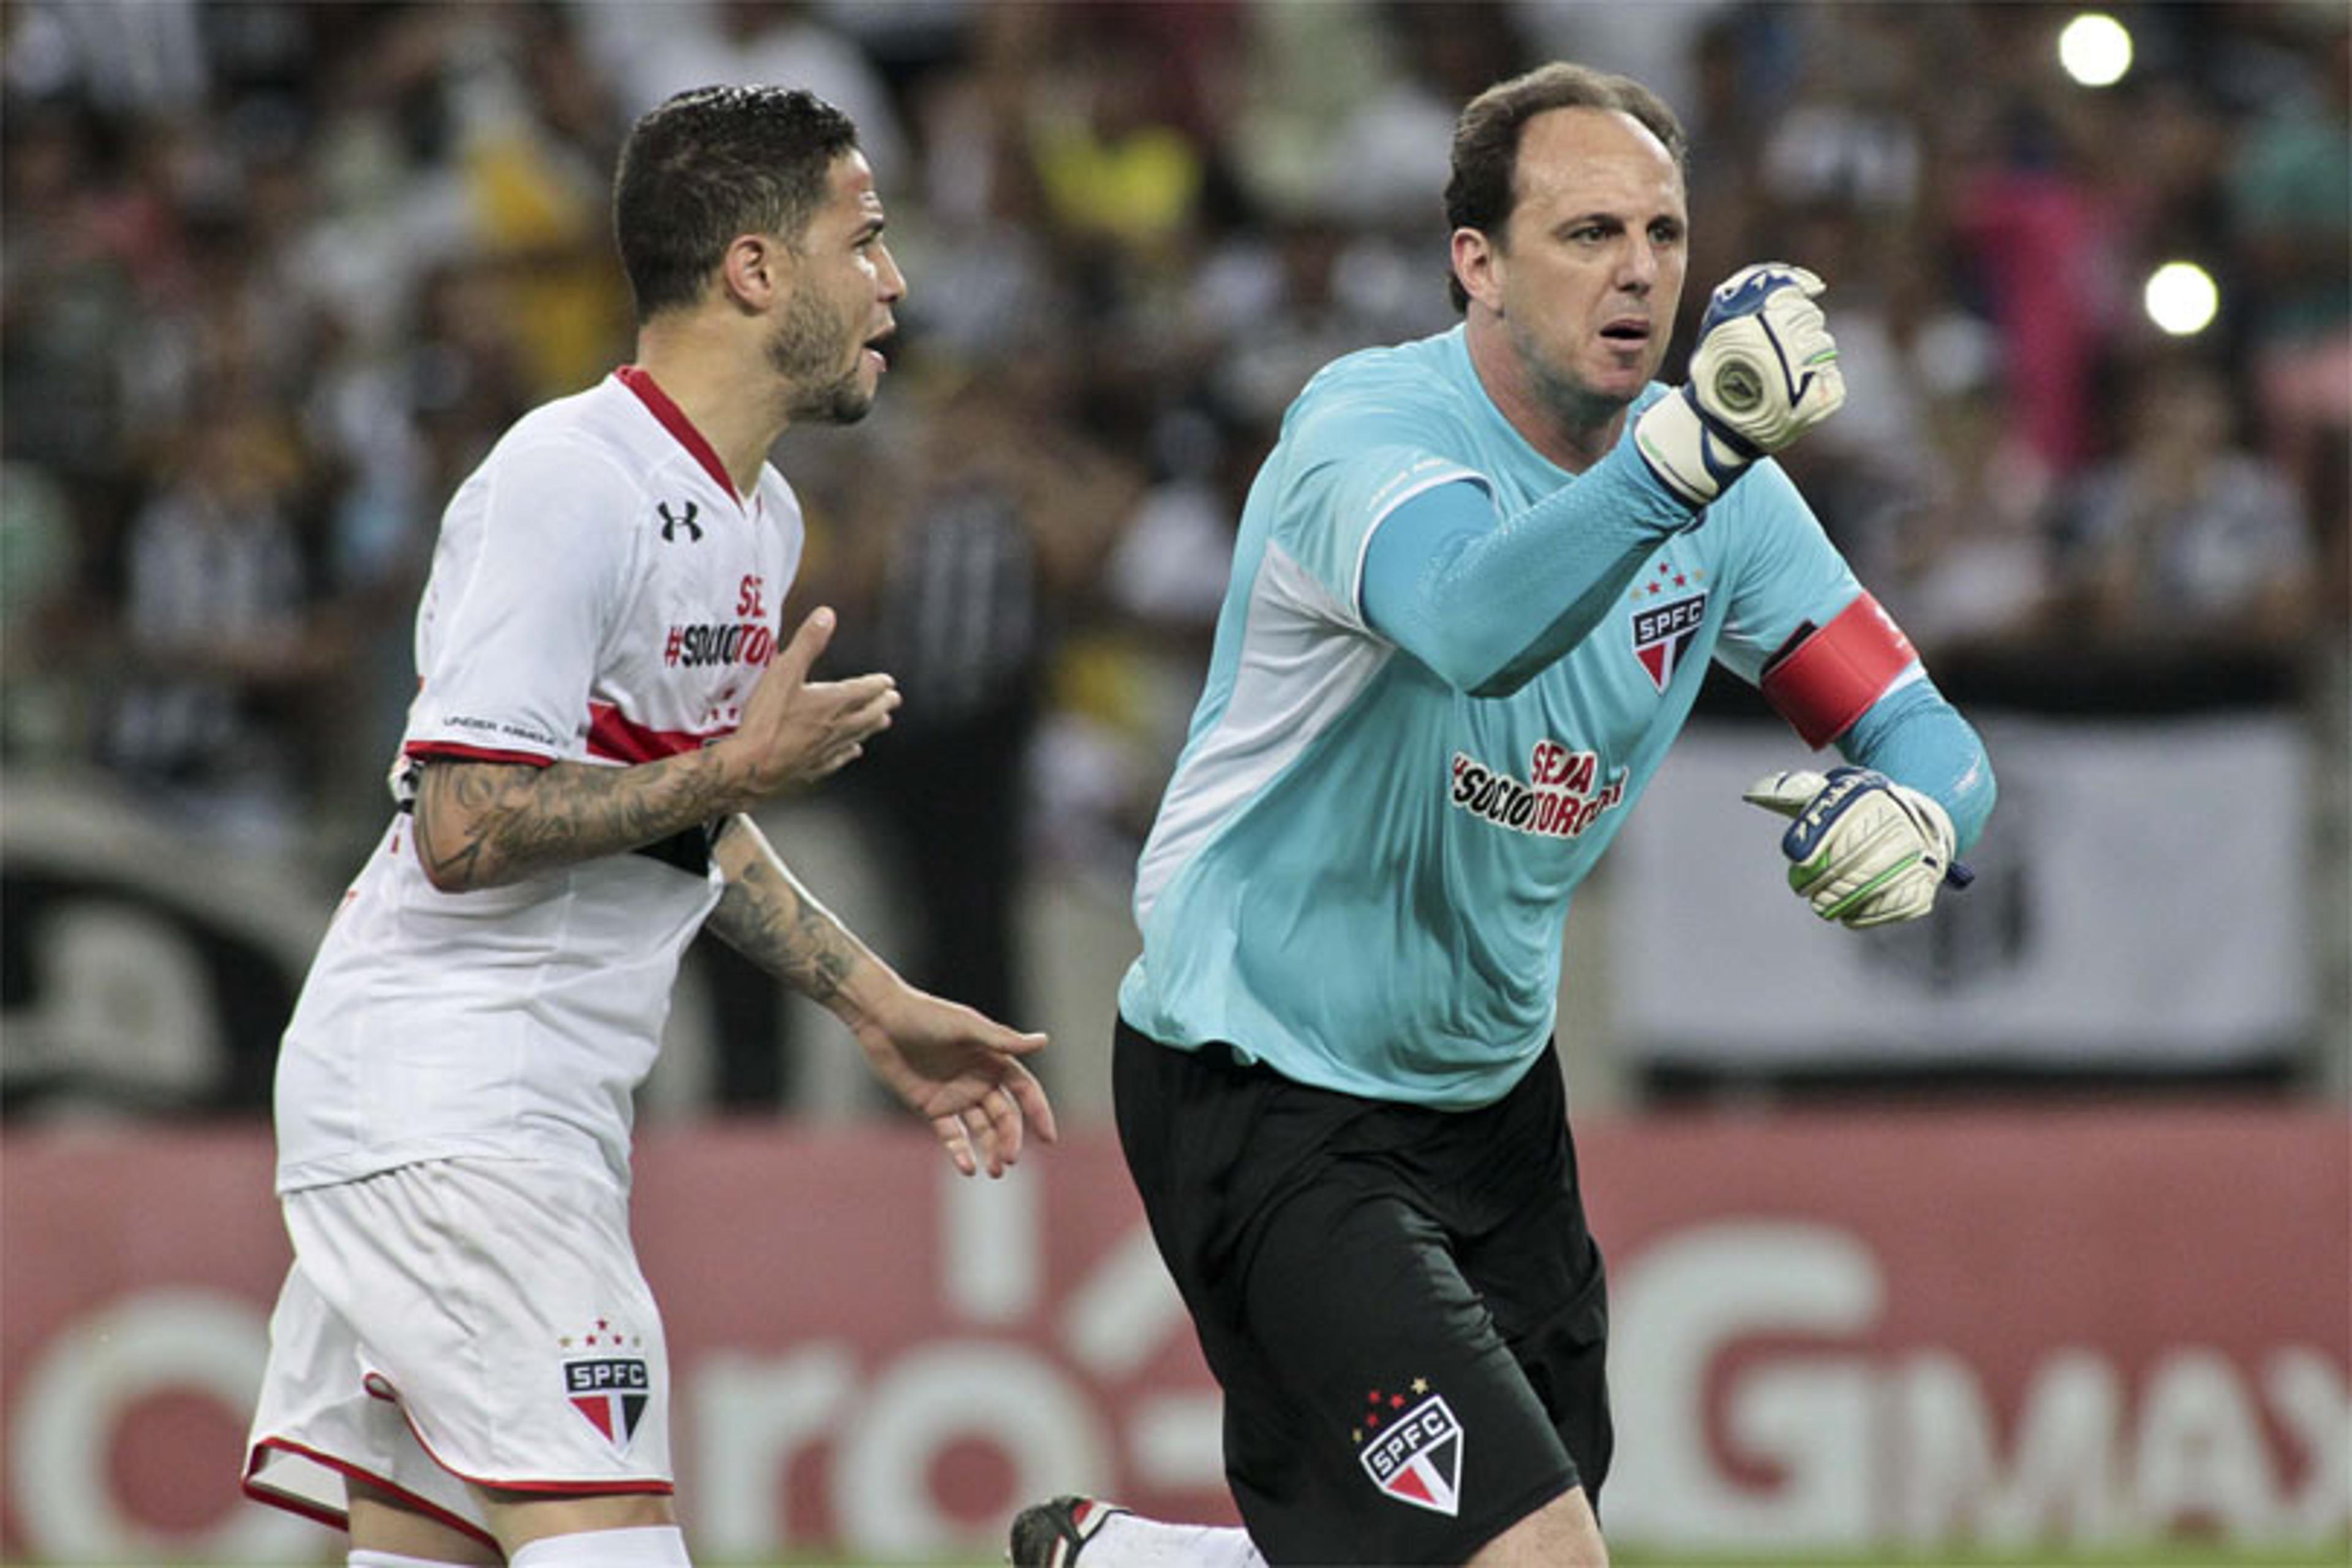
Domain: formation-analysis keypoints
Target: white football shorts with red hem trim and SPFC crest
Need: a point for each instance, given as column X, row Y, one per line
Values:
column 462, row 1322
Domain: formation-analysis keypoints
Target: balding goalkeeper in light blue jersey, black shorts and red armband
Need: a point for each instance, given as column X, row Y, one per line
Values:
column 1476, row 591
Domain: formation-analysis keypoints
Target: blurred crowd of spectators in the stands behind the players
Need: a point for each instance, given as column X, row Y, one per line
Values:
column 276, row 276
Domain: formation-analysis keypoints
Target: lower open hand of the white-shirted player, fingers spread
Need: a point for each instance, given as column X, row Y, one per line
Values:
column 963, row 1073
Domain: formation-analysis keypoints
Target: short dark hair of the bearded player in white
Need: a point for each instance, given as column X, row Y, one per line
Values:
column 714, row 163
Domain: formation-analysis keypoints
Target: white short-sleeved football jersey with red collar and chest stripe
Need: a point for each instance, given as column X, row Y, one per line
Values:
column 599, row 596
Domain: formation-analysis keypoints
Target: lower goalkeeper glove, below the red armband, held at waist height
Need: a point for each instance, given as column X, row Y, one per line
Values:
column 1864, row 850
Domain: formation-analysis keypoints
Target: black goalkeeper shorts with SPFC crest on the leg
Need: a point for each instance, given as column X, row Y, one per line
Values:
column 1403, row 1306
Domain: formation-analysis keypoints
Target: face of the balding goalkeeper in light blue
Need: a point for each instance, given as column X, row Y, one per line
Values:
column 1591, row 264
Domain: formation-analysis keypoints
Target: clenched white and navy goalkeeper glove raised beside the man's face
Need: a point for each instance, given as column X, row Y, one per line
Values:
column 1763, row 375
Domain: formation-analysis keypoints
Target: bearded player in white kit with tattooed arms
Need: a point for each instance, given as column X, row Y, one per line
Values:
column 467, row 1365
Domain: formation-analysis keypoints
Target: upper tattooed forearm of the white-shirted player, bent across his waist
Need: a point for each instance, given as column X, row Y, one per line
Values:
column 488, row 824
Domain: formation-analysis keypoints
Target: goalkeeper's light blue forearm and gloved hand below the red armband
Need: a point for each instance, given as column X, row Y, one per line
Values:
column 1873, row 843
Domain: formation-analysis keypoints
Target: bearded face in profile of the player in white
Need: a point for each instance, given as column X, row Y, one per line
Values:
column 829, row 340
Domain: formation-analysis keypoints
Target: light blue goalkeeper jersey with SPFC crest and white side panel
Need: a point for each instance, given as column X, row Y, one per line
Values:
column 1361, row 876
